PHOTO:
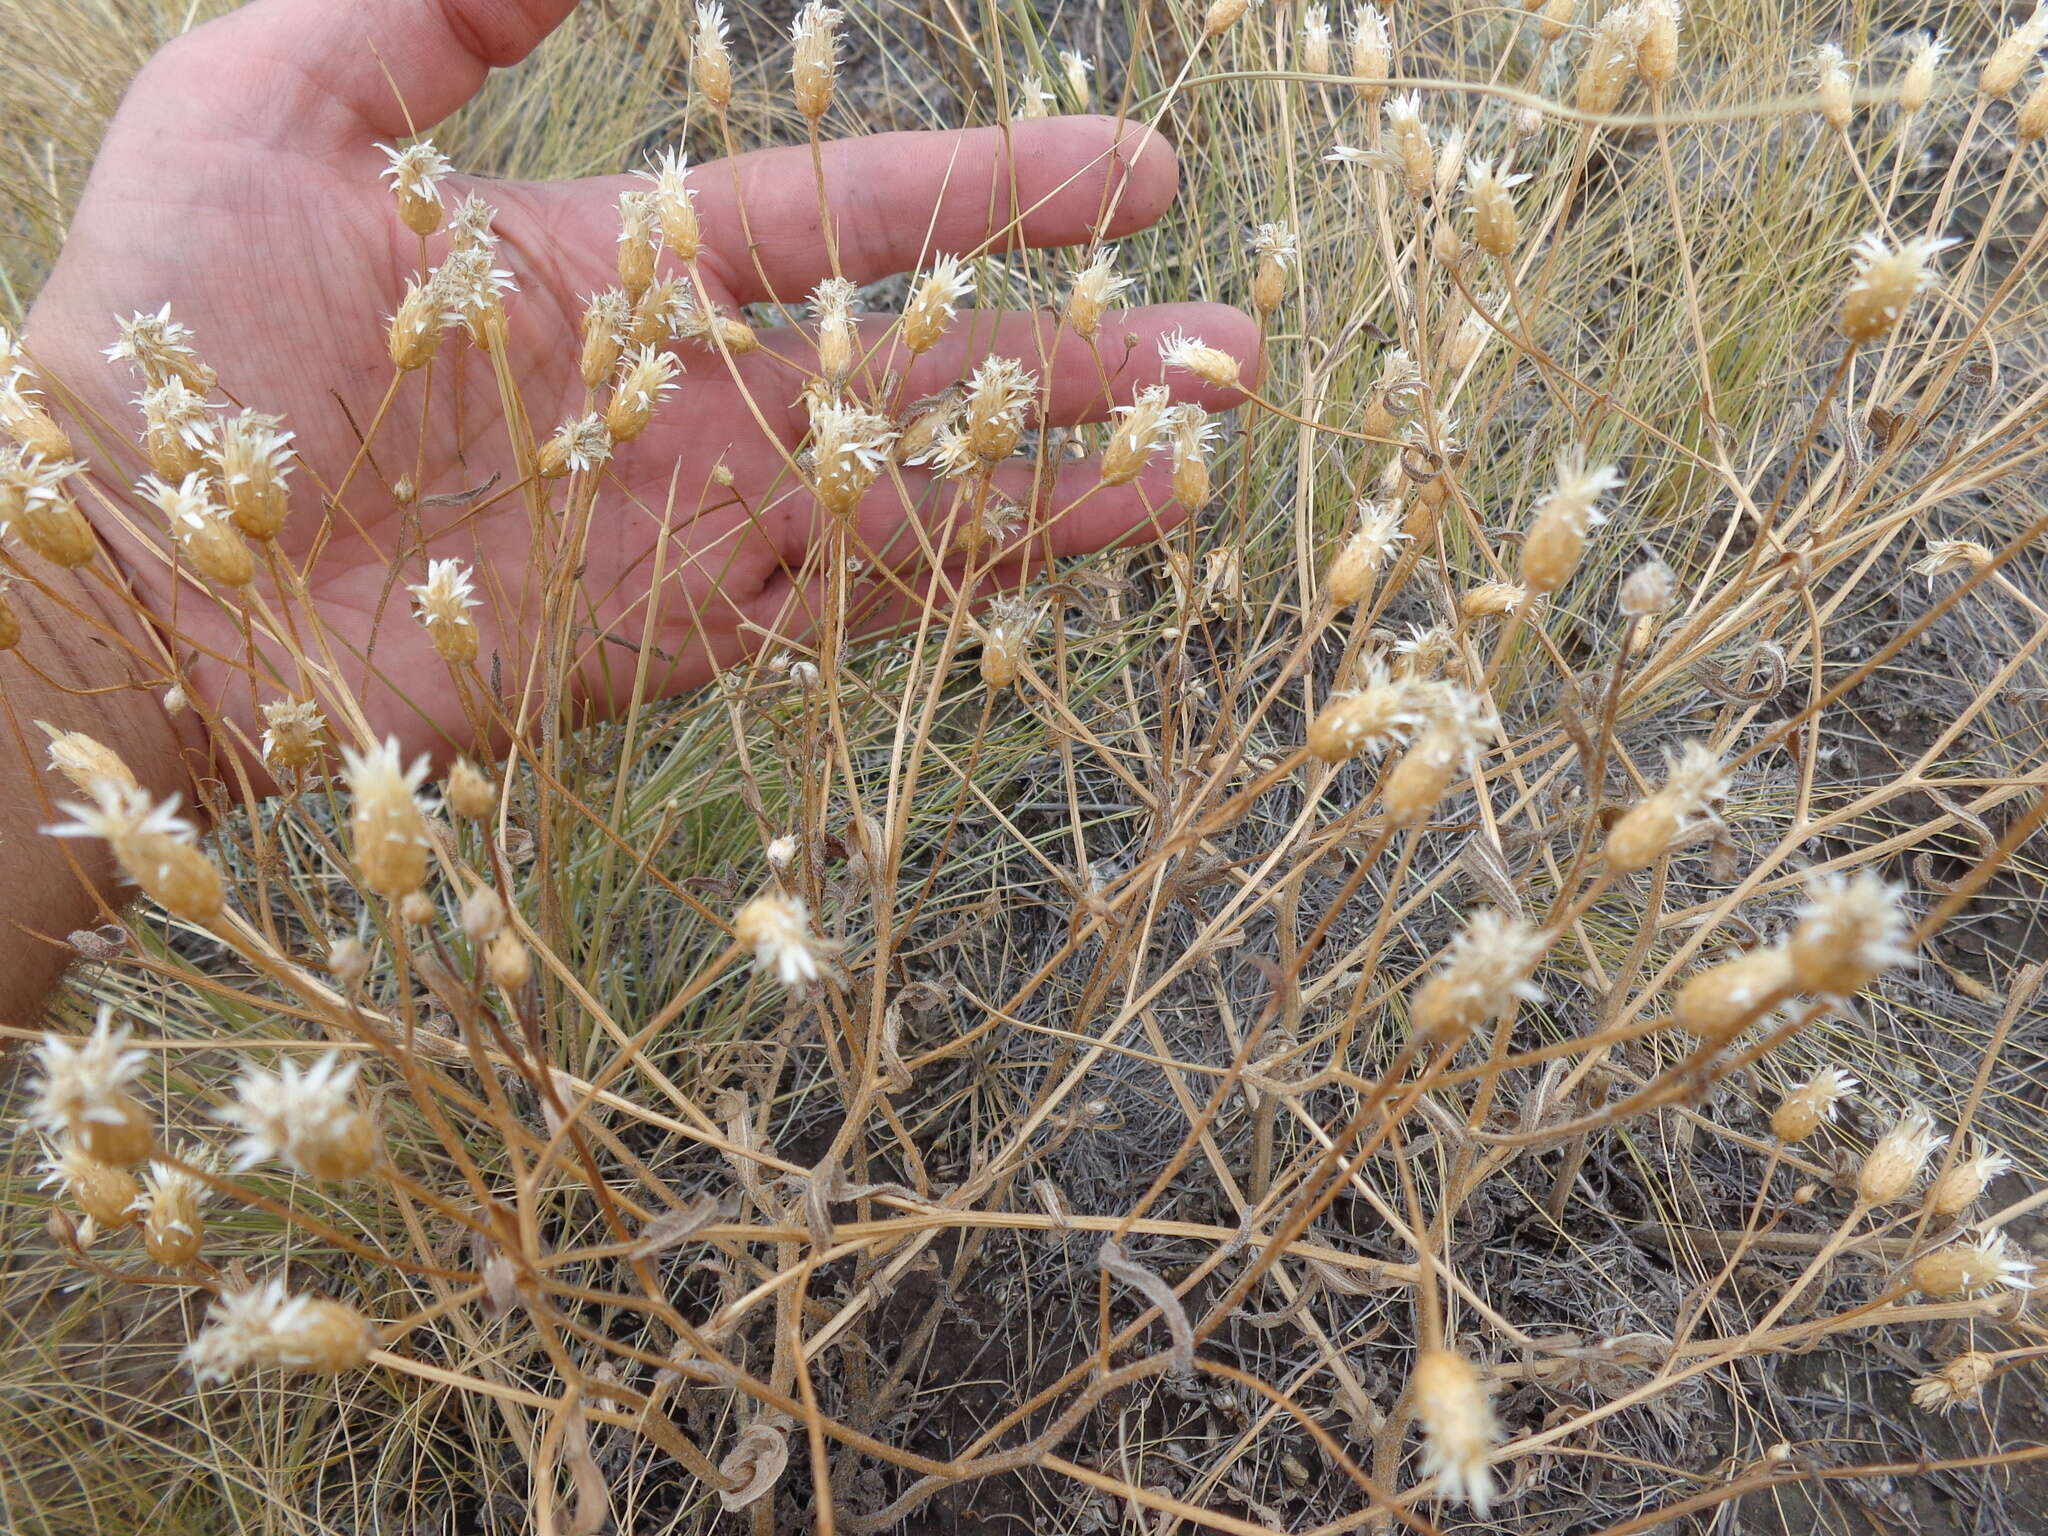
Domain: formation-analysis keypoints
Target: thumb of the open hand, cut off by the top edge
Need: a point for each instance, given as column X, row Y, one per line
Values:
column 321, row 75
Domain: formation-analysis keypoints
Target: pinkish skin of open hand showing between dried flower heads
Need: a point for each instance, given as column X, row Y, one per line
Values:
column 251, row 155
